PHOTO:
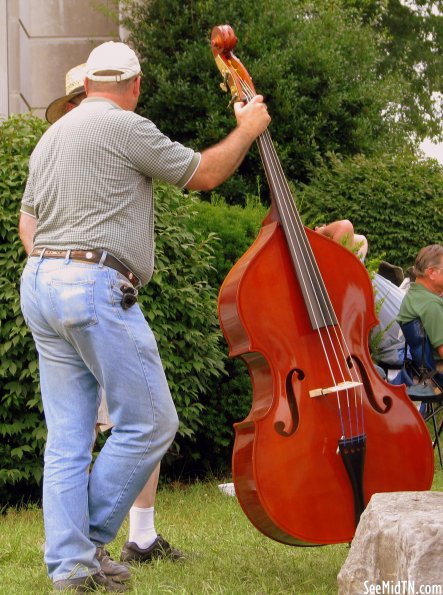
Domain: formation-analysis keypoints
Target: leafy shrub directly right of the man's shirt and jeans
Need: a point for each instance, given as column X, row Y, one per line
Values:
column 180, row 306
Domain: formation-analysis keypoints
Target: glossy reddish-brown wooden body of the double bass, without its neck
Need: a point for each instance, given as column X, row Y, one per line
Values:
column 289, row 476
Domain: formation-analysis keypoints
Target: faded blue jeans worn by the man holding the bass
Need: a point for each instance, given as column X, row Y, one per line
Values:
column 86, row 340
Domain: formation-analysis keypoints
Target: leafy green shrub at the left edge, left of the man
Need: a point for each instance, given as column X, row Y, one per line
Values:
column 22, row 429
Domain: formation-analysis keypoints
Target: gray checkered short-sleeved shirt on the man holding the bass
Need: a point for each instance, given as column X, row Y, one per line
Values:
column 90, row 182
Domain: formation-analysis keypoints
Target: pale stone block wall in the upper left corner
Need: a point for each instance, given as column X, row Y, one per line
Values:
column 43, row 39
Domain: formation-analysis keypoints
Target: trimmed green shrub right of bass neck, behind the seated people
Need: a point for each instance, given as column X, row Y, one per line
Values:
column 396, row 201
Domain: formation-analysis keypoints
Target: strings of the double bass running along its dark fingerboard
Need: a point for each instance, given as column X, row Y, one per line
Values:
column 311, row 278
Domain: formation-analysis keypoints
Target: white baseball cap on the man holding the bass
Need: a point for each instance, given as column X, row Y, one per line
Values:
column 112, row 62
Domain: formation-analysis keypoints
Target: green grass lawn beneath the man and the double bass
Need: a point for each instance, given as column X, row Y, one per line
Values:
column 226, row 554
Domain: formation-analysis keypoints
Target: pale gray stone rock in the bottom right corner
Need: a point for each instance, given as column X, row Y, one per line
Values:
column 397, row 548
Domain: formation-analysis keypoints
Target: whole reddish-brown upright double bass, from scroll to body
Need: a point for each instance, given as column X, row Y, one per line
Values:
column 324, row 432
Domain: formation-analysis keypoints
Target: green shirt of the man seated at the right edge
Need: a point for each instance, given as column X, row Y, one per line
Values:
column 421, row 303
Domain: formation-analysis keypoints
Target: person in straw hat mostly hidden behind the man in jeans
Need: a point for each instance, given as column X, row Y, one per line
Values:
column 144, row 544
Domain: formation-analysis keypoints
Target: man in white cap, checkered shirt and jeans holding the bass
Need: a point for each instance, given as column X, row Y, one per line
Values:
column 87, row 224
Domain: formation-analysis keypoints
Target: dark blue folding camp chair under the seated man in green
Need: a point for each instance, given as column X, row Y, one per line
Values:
column 425, row 382
